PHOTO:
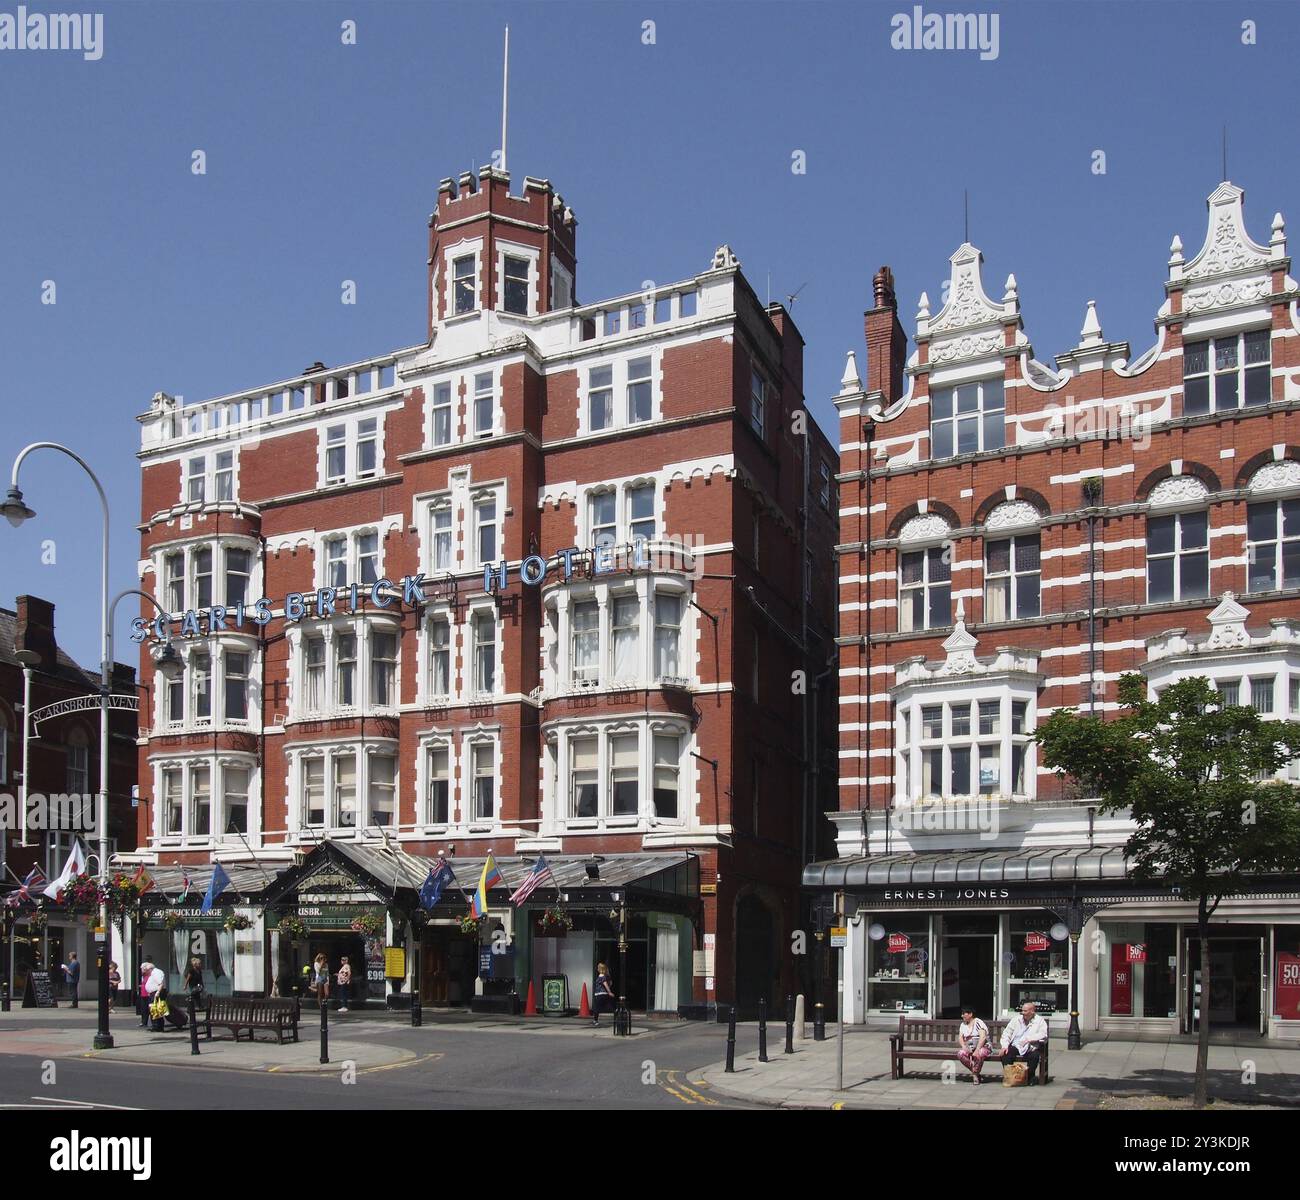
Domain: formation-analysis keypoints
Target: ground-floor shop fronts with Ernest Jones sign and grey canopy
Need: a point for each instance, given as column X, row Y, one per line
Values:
column 929, row 934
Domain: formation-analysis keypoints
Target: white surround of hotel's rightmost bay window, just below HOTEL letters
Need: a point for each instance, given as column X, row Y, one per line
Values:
column 558, row 634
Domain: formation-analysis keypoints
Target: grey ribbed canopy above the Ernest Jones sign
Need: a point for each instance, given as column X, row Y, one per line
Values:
column 1042, row 865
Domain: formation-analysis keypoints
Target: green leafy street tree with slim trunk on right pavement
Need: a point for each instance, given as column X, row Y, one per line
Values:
column 1198, row 781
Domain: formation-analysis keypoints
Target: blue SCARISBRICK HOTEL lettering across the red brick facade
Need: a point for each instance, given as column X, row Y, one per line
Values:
column 410, row 592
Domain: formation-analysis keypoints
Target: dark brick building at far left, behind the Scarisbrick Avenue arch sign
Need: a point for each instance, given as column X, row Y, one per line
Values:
column 63, row 764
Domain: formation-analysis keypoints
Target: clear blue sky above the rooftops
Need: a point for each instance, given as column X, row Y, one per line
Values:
column 323, row 163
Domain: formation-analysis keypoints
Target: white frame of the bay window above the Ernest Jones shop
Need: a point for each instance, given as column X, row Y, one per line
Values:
column 911, row 742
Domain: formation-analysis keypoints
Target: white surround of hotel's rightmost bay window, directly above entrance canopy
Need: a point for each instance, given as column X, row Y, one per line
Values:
column 557, row 785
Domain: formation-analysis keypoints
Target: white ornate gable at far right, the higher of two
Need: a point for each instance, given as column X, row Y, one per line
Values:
column 1230, row 270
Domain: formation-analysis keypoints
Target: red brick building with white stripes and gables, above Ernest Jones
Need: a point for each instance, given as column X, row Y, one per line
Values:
column 1015, row 538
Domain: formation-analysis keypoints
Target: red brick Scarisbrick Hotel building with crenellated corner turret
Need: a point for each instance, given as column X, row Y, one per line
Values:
column 540, row 584
